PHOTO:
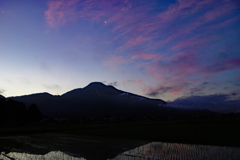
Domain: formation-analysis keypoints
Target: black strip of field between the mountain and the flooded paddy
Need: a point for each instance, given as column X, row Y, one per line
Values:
column 210, row 132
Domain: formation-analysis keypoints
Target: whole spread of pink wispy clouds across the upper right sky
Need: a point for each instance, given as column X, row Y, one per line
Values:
column 174, row 45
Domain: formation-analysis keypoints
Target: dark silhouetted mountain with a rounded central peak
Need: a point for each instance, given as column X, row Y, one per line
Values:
column 98, row 100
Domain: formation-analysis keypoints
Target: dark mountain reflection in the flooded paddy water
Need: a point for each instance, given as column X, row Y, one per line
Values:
column 90, row 148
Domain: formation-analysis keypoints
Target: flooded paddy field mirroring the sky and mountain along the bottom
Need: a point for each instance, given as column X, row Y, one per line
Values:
column 64, row 146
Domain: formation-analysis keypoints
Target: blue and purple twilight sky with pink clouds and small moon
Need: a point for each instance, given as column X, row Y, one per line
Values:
column 162, row 49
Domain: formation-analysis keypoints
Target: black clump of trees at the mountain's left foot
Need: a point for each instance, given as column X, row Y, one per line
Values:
column 15, row 113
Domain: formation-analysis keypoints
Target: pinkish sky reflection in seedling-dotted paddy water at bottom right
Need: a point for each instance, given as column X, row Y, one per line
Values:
column 175, row 151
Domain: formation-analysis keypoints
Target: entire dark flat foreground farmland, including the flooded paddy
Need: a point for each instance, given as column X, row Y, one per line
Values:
column 128, row 141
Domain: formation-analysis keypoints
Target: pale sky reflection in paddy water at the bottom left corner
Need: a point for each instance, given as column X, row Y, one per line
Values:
column 54, row 155
